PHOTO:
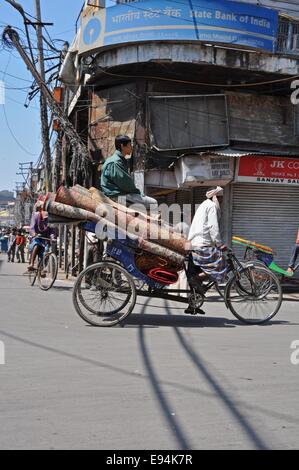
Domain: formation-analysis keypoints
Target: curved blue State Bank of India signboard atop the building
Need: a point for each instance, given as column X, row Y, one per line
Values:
column 220, row 21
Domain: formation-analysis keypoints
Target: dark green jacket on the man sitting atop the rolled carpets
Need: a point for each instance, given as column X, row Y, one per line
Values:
column 115, row 178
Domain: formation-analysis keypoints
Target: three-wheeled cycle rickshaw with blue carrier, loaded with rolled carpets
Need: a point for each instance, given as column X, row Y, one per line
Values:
column 105, row 293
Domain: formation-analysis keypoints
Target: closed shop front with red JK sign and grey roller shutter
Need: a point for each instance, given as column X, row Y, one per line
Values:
column 265, row 202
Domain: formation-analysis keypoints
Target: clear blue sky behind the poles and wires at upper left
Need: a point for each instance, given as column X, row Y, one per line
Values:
column 25, row 143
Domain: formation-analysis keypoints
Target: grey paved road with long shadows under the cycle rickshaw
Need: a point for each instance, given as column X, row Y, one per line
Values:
column 165, row 381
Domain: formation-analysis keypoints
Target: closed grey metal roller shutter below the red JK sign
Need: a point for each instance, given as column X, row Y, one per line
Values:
column 267, row 215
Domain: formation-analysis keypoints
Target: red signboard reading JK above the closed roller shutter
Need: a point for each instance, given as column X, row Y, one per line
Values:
column 274, row 170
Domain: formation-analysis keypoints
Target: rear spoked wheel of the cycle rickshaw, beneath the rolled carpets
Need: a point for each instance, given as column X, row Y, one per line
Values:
column 104, row 294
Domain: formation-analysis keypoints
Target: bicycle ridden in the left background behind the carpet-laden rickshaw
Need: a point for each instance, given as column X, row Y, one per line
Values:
column 47, row 268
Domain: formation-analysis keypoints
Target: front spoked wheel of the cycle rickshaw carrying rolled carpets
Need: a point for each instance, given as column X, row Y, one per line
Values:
column 254, row 296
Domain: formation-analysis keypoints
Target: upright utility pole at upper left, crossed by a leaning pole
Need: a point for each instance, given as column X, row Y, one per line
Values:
column 43, row 101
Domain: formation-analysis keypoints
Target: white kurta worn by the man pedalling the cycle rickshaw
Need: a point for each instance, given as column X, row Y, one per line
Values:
column 204, row 230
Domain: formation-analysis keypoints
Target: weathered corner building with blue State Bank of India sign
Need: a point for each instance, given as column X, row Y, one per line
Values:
column 205, row 90
